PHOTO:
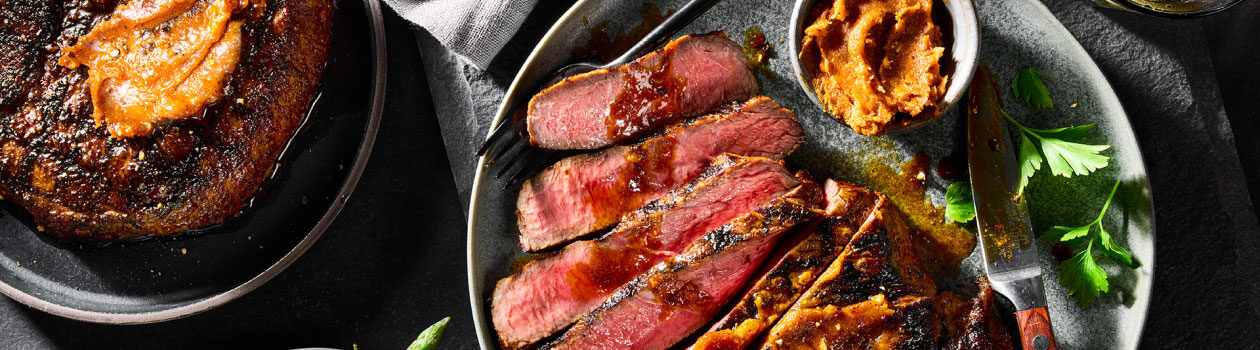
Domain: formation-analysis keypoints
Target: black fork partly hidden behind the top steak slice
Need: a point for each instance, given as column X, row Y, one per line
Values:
column 511, row 140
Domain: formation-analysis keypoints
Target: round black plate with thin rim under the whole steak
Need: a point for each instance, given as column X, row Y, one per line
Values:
column 164, row 279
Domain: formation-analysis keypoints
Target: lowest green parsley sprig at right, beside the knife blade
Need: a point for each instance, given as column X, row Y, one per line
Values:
column 1082, row 274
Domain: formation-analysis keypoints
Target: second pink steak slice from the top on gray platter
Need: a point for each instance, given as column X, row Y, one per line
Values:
column 587, row 193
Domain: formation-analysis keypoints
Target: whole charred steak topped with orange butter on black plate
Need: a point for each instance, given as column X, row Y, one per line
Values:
column 129, row 119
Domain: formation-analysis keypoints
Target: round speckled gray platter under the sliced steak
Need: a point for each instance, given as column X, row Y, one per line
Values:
column 1015, row 35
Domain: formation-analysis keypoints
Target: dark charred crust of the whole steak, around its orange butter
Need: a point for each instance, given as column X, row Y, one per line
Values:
column 81, row 186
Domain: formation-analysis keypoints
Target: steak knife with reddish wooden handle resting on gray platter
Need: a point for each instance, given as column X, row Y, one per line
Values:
column 1010, row 247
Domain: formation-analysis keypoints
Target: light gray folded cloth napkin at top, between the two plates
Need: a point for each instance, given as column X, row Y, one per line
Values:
column 474, row 30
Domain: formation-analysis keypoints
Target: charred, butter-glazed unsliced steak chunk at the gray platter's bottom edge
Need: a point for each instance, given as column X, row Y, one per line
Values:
column 874, row 296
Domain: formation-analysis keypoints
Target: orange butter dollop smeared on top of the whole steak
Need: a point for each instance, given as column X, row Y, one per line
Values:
column 158, row 60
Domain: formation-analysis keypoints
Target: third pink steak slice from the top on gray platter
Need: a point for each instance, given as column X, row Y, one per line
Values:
column 550, row 294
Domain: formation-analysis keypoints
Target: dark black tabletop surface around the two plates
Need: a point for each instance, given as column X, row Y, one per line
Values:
column 394, row 262
